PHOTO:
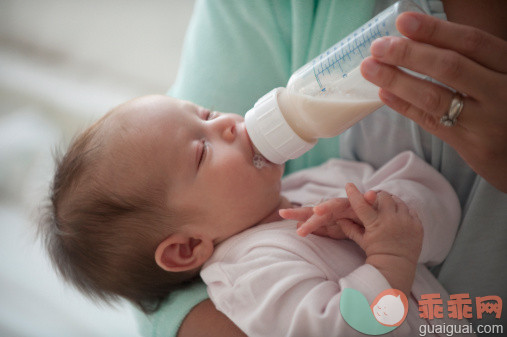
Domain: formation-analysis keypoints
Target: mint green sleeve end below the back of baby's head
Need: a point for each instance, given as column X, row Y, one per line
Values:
column 167, row 320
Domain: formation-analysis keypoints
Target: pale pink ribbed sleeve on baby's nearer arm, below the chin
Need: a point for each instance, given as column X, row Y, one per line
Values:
column 274, row 292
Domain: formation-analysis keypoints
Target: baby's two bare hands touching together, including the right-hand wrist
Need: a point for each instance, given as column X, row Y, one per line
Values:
column 382, row 225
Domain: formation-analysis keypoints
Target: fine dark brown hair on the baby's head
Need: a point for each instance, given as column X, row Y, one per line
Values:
column 103, row 240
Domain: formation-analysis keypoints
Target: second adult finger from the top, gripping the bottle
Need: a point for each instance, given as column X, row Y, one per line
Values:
column 446, row 66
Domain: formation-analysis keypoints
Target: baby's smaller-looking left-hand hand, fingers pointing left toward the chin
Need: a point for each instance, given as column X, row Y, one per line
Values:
column 323, row 220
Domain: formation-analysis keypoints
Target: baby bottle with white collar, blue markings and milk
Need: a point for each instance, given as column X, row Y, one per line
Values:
column 324, row 97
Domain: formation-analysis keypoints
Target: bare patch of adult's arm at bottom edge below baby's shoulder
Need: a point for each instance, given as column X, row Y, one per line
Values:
column 205, row 320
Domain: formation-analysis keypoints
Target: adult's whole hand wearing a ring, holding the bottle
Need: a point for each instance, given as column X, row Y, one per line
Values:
column 466, row 59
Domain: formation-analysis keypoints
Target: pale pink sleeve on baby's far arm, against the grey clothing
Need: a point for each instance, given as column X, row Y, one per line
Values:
column 427, row 192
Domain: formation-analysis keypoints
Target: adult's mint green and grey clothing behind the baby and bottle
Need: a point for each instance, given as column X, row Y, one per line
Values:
column 237, row 50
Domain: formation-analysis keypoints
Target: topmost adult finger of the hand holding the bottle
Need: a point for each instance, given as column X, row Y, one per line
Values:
column 478, row 45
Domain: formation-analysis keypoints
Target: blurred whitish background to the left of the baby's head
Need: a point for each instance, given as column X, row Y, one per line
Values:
column 63, row 63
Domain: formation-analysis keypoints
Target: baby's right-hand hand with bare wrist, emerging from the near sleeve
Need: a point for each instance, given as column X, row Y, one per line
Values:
column 390, row 235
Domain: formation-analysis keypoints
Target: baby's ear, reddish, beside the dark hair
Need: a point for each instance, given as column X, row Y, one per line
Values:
column 180, row 252
